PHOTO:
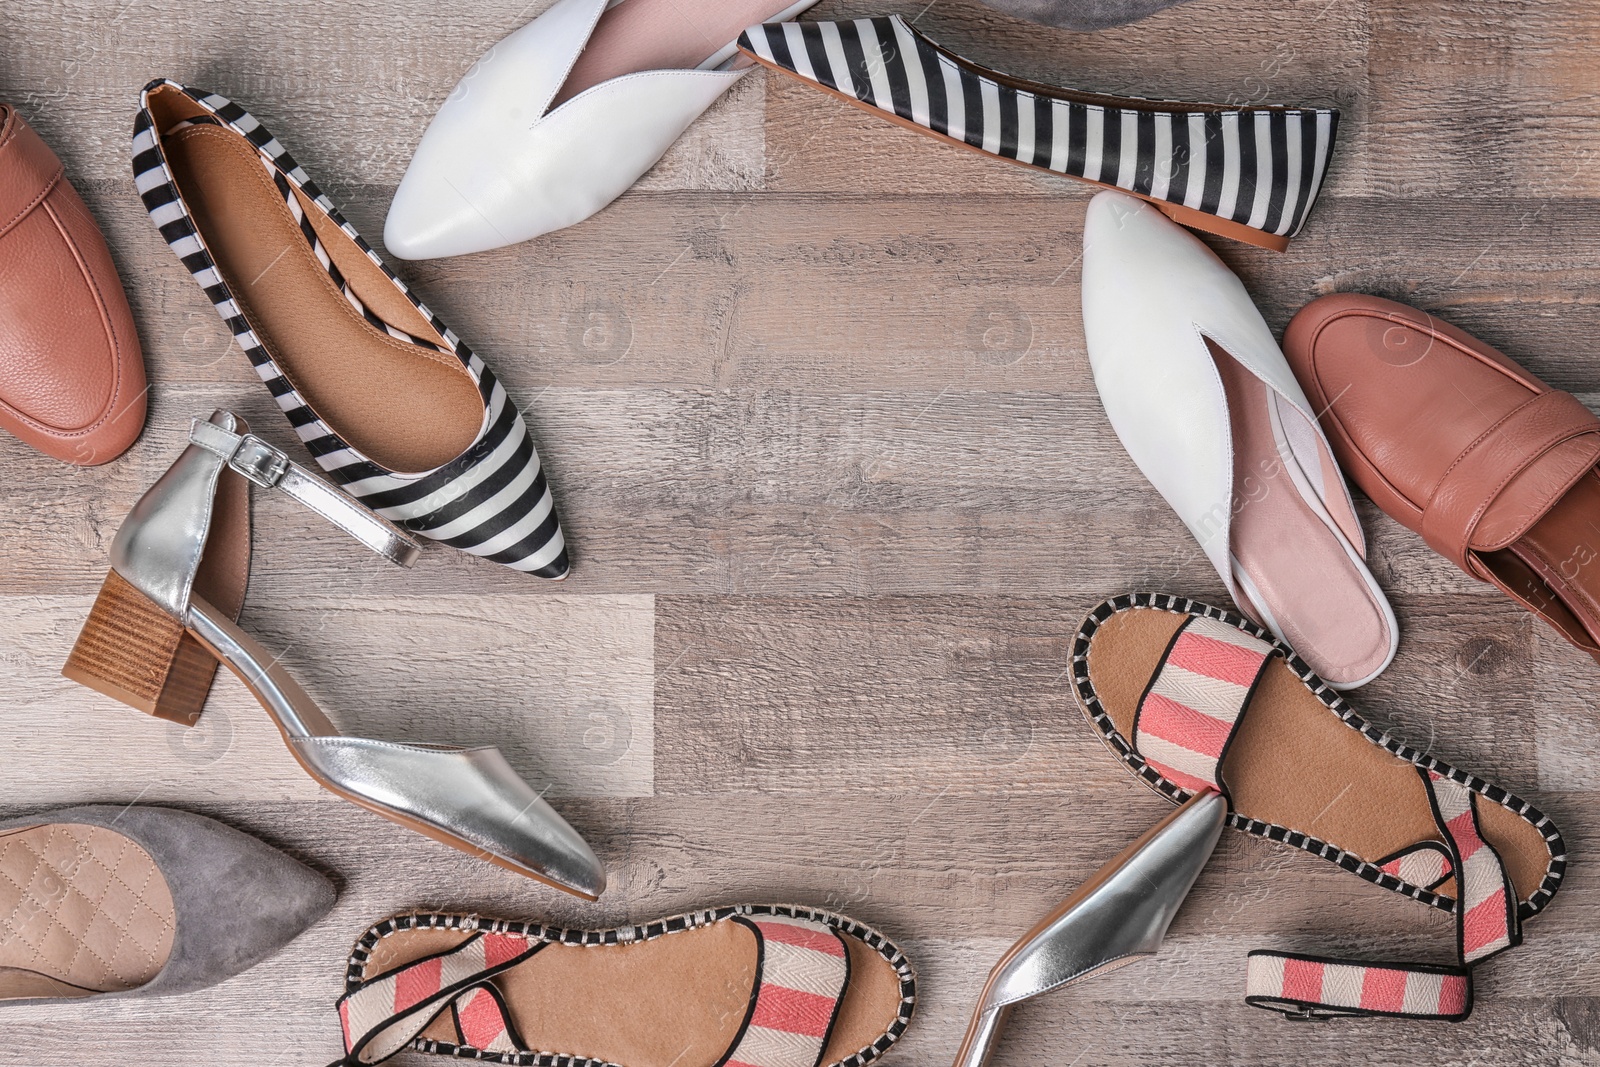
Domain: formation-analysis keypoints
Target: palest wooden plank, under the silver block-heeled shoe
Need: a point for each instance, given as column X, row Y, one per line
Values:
column 562, row 685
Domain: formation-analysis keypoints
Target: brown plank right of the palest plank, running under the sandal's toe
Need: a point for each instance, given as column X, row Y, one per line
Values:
column 770, row 695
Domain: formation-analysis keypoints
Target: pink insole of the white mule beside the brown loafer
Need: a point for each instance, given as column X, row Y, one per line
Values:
column 1313, row 589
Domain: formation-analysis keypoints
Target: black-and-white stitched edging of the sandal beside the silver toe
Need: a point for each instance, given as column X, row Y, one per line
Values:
column 1334, row 701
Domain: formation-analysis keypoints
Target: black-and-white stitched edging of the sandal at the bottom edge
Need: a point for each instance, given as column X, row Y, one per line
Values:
column 626, row 935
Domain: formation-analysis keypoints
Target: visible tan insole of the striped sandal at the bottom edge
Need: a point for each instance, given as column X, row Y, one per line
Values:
column 671, row 1002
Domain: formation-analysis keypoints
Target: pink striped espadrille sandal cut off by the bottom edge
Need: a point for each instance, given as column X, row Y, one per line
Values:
column 745, row 986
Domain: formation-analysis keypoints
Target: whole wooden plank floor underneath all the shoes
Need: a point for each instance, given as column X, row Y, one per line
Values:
column 817, row 410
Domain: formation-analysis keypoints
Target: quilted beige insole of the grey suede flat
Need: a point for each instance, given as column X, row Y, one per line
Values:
column 82, row 911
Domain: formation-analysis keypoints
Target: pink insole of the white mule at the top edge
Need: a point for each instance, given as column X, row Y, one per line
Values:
column 662, row 36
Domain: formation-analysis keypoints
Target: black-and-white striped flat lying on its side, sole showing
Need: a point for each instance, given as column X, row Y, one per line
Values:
column 1249, row 174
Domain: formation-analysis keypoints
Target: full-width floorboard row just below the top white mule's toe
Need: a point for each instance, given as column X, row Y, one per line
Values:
column 958, row 294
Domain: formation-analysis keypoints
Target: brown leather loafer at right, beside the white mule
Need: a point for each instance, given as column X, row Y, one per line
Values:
column 1492, row 466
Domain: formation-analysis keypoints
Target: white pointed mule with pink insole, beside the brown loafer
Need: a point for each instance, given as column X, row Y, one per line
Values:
column 1204, row 401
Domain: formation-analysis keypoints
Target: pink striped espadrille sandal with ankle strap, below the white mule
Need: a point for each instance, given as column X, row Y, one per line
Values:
column 1193, row 698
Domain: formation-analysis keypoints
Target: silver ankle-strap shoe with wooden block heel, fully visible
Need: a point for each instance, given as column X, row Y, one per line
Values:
column 166, row 618
